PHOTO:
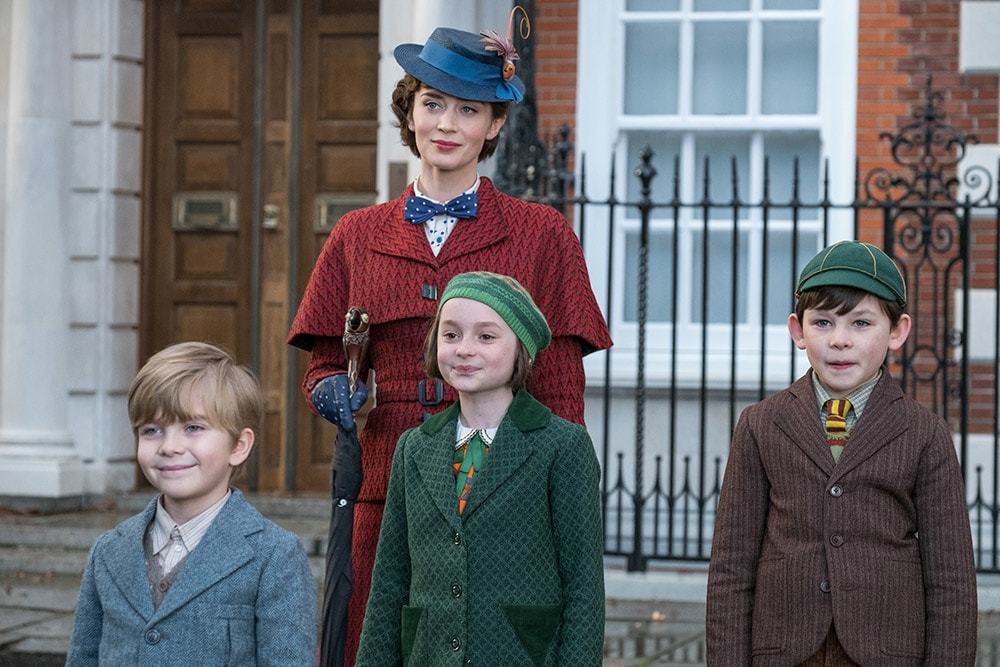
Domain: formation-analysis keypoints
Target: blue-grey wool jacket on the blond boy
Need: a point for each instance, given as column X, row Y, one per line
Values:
column 244, row 597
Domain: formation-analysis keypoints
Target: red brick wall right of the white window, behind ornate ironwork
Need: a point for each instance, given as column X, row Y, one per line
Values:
column 900, row 42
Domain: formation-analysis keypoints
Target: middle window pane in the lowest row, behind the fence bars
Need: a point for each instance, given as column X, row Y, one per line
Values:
column 720, row 276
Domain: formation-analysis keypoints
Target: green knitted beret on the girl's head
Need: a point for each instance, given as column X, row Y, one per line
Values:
column 509, row 299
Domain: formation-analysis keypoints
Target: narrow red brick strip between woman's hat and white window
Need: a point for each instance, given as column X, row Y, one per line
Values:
column 555, row 34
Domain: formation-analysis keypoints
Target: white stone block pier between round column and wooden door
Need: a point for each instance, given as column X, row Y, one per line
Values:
column 105, row 184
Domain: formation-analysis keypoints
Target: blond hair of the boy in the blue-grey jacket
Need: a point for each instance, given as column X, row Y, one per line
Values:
column 164, row 387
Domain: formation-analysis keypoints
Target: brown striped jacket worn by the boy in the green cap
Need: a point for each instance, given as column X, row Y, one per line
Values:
column 878, row 544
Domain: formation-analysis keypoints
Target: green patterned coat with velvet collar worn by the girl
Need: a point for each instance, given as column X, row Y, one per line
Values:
column 518, row 578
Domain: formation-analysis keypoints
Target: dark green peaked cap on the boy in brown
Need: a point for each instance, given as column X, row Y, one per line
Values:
column 854, row 264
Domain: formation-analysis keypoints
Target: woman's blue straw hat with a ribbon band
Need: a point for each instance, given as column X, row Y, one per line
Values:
column 457, row 63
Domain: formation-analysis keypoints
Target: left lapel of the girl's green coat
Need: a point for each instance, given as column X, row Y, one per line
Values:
column 433, row 459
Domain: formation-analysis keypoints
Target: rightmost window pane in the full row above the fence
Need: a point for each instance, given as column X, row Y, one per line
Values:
column 791, row 67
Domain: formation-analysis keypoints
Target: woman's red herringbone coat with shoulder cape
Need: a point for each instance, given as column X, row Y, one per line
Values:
column 376, row 260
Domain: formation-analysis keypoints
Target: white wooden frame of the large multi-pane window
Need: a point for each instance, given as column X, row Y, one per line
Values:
column 601, row 127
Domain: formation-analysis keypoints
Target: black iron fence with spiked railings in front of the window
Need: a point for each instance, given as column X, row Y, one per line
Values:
column 669, row 399
